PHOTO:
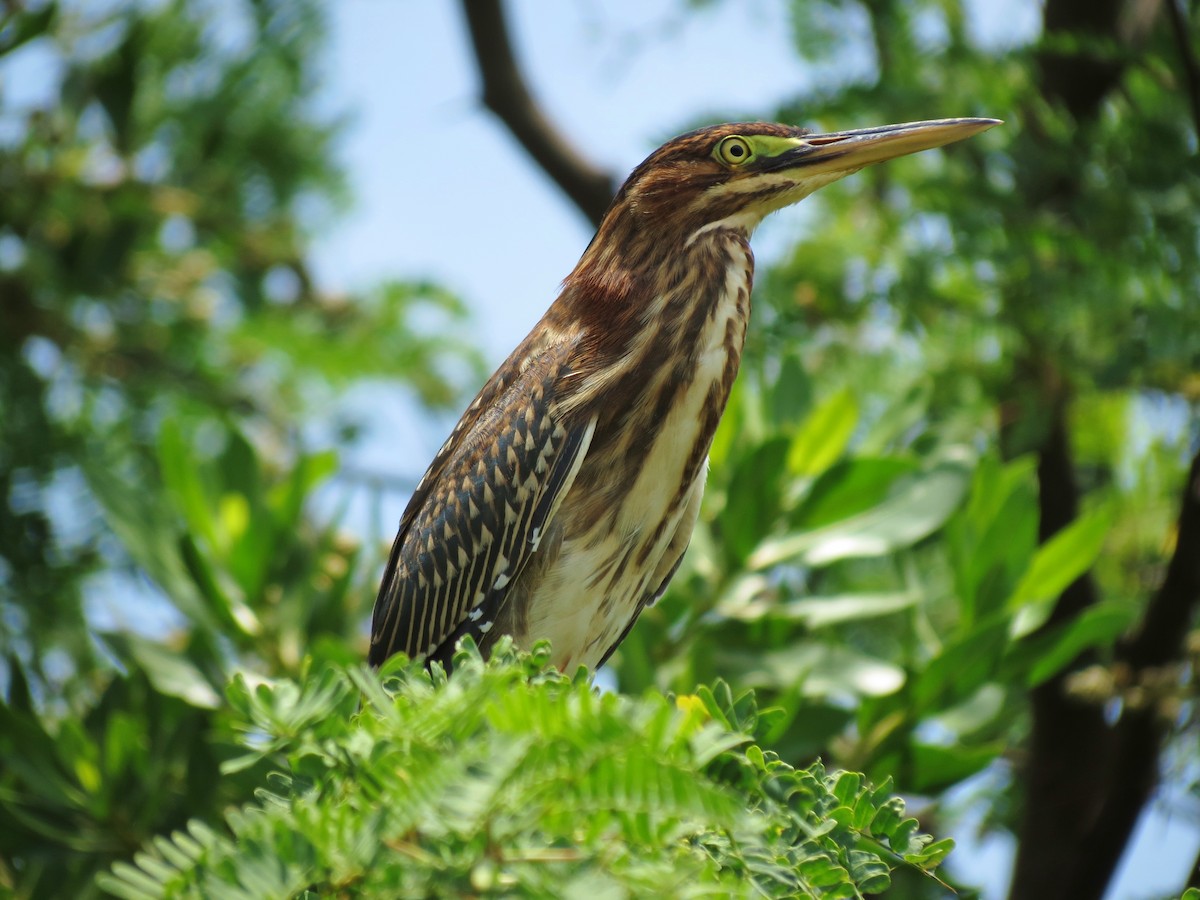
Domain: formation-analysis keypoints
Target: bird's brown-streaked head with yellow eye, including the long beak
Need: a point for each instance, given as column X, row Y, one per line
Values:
column 734, row 176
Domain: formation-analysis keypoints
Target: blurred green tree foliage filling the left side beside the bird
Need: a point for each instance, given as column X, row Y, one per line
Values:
column 161, row 343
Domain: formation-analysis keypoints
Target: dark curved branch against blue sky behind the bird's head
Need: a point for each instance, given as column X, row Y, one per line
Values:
column 507, row 94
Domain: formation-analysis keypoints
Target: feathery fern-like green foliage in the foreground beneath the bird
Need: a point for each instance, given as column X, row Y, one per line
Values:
column 512, row 779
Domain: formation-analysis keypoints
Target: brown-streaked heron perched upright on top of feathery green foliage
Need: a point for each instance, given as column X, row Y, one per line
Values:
column 565, row 499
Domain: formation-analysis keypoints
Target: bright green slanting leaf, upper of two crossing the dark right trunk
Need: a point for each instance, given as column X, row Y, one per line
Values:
column 1058, row 563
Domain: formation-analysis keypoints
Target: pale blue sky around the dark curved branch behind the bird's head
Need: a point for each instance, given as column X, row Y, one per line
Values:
column 443, row 191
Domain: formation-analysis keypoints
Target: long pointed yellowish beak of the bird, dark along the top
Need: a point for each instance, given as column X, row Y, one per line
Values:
column 848, row 152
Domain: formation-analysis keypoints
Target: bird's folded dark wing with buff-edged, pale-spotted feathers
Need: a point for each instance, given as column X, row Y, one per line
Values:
column 477, row 518
